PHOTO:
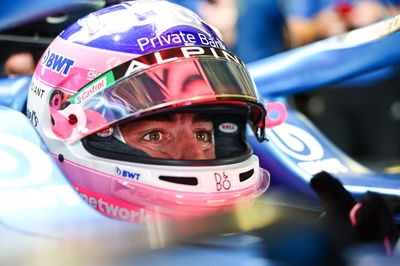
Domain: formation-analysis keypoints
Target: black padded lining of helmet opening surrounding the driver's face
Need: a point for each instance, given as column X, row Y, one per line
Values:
column 229, row 136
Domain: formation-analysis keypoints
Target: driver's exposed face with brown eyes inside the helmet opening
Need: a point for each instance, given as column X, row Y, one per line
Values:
column 177, row 136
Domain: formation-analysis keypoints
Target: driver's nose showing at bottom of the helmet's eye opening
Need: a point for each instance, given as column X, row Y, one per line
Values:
column 187, row 147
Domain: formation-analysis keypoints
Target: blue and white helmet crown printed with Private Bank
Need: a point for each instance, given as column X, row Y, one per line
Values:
column 141, row 31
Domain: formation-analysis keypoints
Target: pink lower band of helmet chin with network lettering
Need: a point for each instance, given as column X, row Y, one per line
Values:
column 171, row 204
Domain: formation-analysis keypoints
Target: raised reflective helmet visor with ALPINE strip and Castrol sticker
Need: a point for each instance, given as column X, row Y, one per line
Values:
column 159, row 81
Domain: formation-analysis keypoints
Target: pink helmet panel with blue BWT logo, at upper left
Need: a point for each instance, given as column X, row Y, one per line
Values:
column 69, row 66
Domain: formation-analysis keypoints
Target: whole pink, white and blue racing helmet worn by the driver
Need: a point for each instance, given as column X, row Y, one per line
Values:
column 135, row 61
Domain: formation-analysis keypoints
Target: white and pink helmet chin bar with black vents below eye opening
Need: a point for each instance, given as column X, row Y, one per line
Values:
column 170, row 190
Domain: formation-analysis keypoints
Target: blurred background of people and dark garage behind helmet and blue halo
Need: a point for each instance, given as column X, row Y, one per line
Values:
column 361, row 115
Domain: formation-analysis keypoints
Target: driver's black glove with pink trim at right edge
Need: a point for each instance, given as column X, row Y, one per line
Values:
column 370, row 220
